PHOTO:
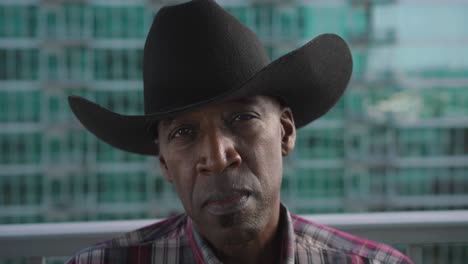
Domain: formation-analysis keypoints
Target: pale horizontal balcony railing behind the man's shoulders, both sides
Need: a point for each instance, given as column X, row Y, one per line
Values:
column 410, row 230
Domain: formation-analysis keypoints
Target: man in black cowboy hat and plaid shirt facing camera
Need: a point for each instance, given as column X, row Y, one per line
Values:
column 220, row 118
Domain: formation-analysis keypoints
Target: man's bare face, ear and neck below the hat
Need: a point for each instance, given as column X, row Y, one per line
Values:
column 225, row 161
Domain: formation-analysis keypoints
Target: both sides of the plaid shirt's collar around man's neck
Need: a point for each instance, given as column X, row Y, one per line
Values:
column 204, row 253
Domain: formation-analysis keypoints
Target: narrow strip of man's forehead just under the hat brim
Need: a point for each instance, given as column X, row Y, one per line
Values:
column 259, row 103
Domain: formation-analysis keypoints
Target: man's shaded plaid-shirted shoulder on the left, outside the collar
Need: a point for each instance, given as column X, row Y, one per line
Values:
column 165, row 237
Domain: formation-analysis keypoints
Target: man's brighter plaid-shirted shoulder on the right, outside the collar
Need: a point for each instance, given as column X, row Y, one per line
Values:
column 333, row 244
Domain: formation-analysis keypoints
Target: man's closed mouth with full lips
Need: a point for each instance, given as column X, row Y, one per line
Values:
column 227, row 203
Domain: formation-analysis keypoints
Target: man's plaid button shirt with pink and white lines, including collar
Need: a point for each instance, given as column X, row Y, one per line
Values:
column 175, row 240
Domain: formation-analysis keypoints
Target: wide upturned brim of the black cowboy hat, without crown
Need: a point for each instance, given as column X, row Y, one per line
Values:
column 310, row 80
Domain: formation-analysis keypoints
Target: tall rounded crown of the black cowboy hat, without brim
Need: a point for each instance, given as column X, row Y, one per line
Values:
column 196, row 51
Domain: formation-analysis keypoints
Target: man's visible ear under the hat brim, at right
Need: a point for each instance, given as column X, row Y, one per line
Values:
column 288, row 131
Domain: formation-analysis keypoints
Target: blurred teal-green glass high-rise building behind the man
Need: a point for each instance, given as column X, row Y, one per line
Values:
column 397, row 140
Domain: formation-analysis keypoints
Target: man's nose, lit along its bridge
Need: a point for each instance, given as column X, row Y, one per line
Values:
column 217, row 153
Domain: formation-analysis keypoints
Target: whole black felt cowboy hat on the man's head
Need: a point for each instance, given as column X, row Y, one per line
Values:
column 196, row 53
